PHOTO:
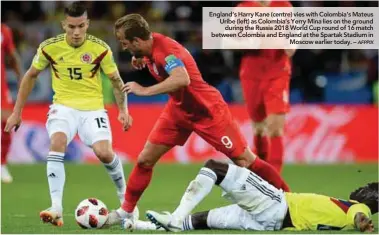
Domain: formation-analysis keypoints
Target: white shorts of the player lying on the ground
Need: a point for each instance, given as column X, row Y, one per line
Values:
column 257, row 205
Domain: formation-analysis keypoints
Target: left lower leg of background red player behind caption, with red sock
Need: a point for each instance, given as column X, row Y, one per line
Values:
column 261, row 140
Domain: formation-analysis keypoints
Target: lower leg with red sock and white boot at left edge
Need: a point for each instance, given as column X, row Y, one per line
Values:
column 6, row 177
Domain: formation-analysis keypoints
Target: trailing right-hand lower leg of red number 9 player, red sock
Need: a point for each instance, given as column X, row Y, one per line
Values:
column 251, row 161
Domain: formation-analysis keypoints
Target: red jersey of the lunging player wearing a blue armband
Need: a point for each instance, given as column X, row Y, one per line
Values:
column 196, row 99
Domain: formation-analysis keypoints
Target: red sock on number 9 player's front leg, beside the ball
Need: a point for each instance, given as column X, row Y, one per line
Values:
column 138, row 181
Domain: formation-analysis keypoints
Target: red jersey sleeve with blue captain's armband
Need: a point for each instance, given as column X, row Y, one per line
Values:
column 170, row 58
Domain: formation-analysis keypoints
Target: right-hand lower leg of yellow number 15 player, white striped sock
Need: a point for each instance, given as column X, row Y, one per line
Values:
column 103, row 150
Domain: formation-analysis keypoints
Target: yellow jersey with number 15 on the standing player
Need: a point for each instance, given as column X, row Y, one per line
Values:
column 75, row 71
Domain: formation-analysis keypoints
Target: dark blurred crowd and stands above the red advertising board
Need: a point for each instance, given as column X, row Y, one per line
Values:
column 319, row 76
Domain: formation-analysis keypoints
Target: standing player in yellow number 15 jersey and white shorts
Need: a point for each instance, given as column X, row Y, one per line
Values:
column 75, row 60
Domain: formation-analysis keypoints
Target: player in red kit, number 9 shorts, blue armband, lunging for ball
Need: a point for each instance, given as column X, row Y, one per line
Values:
column 194, row 106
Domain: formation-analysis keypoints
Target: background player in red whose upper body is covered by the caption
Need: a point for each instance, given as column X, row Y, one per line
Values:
column 265, row 77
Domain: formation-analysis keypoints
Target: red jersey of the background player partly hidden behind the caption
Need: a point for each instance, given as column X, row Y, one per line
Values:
column 266, row 61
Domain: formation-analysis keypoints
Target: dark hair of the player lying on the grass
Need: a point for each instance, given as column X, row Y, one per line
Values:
column 368, row 195
